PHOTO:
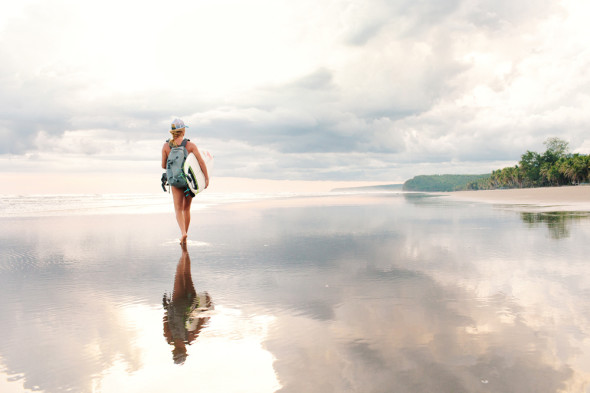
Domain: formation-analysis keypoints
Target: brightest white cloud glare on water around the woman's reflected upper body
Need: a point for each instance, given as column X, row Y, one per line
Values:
column 229, row 356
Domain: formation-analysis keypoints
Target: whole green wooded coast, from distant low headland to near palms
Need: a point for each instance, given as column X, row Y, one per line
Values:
column 555, row 167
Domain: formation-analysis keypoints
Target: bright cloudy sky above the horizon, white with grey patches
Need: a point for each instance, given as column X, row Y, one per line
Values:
column 288, row 93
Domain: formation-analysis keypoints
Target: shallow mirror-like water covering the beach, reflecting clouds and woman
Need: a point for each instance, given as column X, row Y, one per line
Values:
column 402, row 293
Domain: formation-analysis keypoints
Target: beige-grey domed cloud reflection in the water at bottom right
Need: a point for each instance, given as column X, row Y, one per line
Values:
column 421, row 343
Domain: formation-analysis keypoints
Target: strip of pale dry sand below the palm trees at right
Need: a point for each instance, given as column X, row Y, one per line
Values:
column 564, row 198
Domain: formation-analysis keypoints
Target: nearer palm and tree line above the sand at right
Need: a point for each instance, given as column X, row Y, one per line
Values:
column 555, row 167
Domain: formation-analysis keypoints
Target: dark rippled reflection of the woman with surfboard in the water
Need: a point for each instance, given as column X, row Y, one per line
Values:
column 182, row 323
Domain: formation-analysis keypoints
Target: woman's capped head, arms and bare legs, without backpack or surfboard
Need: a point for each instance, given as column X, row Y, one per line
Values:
column 182, row 203
